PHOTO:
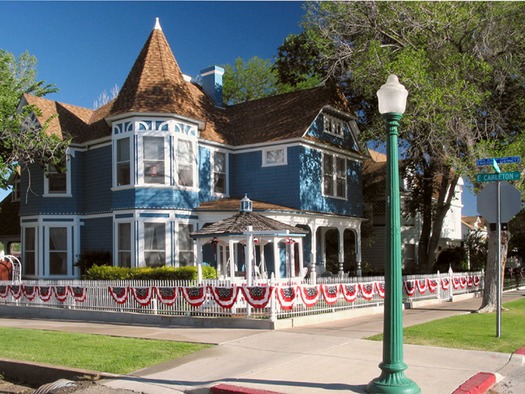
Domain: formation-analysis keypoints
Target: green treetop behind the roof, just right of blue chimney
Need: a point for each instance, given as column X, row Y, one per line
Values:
column 254, row 79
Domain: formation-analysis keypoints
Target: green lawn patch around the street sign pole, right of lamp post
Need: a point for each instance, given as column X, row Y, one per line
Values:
column 476, row 331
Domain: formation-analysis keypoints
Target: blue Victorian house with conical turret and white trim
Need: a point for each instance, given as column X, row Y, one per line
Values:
column 167, row 157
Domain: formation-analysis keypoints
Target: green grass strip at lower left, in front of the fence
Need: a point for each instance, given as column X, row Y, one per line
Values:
column 94, row 352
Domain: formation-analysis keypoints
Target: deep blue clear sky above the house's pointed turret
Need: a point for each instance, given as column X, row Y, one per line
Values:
column 85, row 48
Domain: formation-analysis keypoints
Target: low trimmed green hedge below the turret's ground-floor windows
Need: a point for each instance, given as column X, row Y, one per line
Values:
column 97, row 272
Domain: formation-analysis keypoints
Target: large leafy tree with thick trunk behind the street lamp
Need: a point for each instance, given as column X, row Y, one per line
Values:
column 460, row 63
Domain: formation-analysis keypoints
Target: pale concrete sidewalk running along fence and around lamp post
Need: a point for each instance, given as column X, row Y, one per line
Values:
column 314, row 359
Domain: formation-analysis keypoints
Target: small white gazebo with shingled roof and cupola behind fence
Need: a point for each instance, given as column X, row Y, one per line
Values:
column 251, row 245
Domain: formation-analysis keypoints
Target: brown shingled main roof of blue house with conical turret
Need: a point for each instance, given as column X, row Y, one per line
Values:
column 156, row 85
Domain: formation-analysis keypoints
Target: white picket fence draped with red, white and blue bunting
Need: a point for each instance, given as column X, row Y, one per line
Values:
column 213, row 298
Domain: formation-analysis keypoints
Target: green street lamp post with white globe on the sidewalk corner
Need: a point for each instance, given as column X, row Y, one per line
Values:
column 392, row 103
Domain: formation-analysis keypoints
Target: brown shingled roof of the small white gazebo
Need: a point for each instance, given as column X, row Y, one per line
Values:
column 237, row 224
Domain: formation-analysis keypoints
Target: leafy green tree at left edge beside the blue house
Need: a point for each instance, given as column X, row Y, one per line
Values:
column 24, row 141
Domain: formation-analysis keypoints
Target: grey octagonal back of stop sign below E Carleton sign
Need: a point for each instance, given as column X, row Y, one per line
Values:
column 510, row 201
